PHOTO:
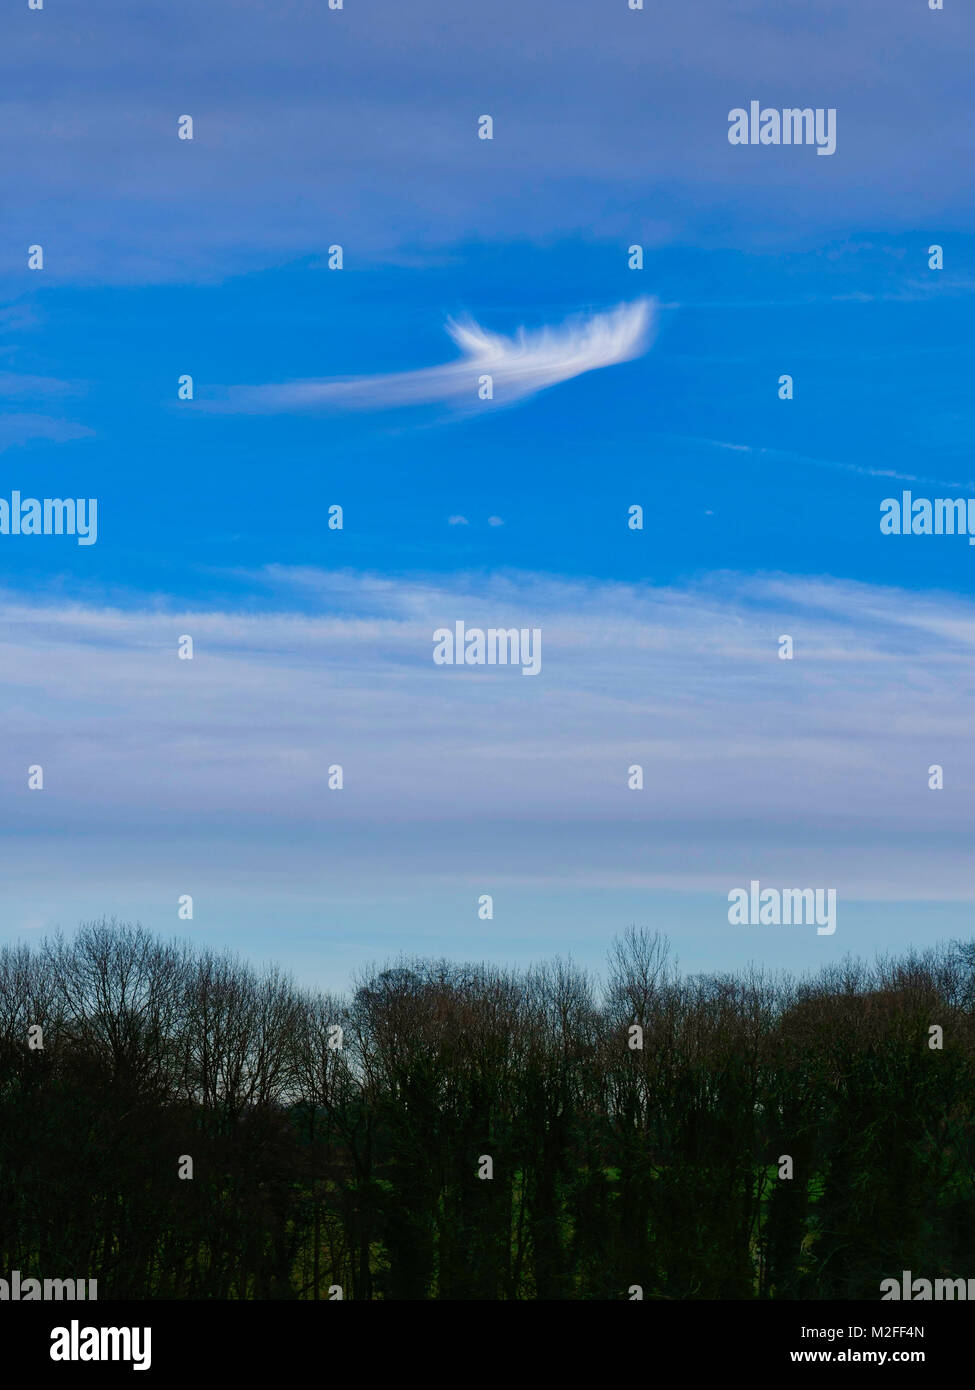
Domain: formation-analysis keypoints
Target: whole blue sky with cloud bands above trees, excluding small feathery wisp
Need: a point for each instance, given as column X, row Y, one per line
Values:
column 358, row 127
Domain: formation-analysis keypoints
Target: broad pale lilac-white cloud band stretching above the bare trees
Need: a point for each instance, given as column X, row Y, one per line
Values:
column 806, row 771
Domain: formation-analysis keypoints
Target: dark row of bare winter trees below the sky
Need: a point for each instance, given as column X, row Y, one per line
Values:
column 340, row 1142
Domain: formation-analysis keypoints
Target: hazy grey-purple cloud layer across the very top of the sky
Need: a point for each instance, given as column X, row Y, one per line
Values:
column 407, row 174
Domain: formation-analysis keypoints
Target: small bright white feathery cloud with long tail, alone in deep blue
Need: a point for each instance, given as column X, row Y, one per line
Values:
column 521, row 366
